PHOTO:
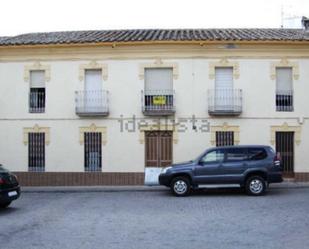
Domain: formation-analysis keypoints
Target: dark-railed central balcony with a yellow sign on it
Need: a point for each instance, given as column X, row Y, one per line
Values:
column 158, row 102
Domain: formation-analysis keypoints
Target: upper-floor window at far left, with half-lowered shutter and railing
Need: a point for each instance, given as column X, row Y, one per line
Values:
column 37, row 91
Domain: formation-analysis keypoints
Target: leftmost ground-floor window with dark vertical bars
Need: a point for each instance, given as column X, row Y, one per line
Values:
column 36, row 152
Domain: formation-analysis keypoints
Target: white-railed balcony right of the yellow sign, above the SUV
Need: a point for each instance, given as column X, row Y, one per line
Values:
column 225, row 102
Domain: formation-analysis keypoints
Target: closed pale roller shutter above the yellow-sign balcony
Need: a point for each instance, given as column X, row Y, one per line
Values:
column 158, row 79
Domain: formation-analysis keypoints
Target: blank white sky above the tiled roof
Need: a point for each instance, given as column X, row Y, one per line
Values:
column 24, row 16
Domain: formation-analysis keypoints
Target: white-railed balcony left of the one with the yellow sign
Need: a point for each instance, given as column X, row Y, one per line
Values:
column 91, row 103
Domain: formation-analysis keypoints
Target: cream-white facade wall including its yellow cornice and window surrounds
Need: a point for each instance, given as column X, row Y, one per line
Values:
column 121, row 77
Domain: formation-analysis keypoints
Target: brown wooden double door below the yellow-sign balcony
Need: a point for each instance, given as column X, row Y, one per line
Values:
column 158, row 149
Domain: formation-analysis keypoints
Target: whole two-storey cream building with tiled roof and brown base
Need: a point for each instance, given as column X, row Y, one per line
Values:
column 68, row 100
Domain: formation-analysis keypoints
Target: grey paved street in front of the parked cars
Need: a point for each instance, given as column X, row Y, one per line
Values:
column 156, row 219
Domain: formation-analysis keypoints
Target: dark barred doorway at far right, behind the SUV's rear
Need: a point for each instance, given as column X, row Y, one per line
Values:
column 285, row 146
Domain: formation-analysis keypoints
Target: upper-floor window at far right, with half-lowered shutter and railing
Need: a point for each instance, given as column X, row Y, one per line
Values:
column 284, row 92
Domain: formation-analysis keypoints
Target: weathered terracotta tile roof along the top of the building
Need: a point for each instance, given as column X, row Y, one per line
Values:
column 139, row 35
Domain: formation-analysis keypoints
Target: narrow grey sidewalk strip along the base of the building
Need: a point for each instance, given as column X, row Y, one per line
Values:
column 284, row 185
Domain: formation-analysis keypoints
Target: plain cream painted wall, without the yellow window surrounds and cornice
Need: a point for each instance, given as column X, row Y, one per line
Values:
column 123, row 151
